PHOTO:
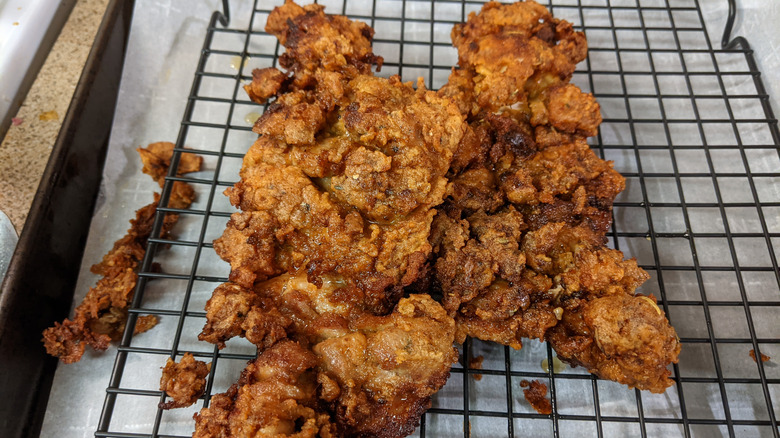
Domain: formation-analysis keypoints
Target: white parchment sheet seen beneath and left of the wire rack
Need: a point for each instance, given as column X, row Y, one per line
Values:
column 153, row 94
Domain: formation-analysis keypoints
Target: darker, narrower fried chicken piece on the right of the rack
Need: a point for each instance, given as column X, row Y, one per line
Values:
column 519, row 243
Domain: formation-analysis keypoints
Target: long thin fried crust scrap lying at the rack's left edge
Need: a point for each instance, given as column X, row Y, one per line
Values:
column 102, row 315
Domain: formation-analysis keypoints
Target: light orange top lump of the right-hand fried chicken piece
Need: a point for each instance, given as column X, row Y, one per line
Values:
column 519, row 56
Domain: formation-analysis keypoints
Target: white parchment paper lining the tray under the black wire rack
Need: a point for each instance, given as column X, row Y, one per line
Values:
column 165, row 44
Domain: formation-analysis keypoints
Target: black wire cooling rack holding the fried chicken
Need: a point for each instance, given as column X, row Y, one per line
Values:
column 688, row 124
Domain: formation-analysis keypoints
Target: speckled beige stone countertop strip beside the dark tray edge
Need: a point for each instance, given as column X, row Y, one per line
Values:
column 26, row 147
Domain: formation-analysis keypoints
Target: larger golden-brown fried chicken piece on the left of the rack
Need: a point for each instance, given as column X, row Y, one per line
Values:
column 337, row 197
